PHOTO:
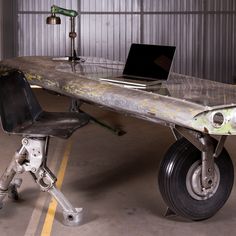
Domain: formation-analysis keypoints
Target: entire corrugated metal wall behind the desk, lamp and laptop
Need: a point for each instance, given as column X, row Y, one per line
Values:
column 204, row 31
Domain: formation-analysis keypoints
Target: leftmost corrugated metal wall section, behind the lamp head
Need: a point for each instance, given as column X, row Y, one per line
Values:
column 35, row 37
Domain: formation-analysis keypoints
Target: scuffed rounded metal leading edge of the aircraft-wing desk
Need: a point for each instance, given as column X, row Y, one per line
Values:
column 44, row 72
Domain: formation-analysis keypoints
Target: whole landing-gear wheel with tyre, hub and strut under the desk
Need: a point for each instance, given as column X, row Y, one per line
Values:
column 196, row 178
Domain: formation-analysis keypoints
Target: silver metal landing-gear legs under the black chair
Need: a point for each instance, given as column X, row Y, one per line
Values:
column 32, row 158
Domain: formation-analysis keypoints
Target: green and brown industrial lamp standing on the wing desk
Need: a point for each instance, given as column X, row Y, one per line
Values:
column 55, row 20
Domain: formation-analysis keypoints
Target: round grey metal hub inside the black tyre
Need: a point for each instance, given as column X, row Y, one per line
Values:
column 194, row 183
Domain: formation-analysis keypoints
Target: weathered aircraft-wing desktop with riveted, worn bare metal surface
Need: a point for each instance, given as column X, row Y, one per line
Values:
column 182, row 100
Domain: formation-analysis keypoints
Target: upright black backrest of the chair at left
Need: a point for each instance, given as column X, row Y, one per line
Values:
column 18, row 104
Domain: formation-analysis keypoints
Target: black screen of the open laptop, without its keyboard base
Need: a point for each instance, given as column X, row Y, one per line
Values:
column 149, row 62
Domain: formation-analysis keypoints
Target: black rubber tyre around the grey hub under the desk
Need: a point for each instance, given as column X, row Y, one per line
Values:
column 172, row 181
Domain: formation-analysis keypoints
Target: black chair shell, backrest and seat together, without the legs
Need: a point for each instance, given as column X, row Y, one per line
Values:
column 22, row 114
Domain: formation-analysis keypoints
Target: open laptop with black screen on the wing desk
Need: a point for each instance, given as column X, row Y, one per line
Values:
column 147, row 65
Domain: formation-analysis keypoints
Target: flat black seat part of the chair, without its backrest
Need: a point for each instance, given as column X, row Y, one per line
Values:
column 54, row 124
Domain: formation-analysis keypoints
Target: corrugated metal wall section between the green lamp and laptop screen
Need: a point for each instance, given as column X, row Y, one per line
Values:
column 109, row 27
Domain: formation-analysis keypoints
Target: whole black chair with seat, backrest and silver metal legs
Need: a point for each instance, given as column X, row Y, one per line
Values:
column 21, row 114
